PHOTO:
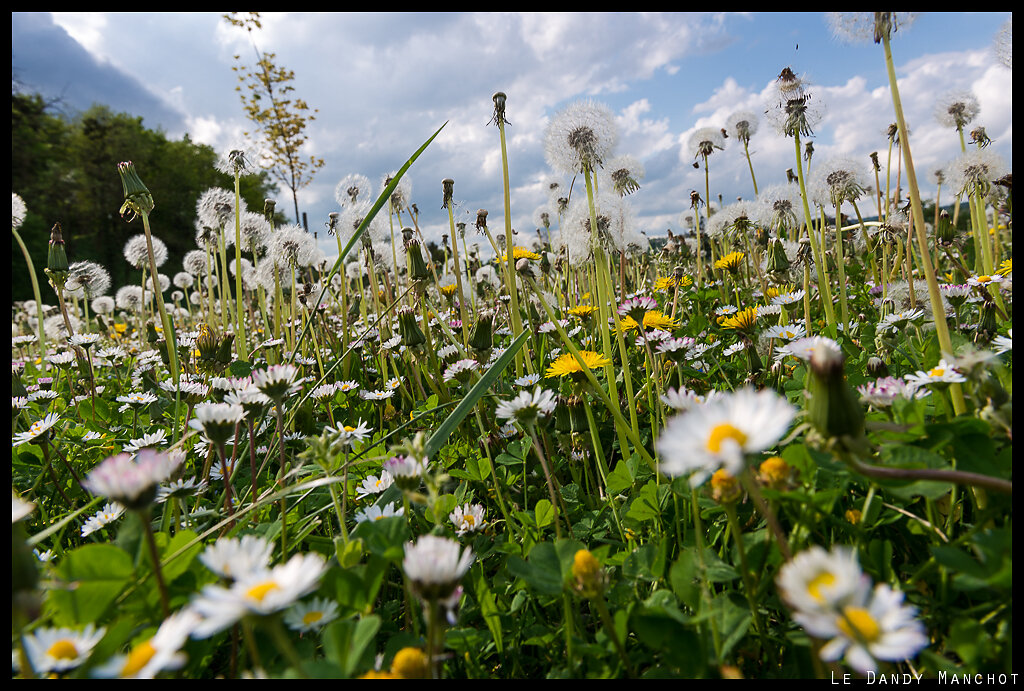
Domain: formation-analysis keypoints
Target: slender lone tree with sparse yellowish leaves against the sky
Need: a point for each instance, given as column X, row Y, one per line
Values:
column 281, row 121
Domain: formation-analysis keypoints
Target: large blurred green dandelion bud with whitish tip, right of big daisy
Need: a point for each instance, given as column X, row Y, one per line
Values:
column 833, row 406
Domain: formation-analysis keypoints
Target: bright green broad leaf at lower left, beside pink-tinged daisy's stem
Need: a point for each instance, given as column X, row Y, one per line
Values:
column 96, row 575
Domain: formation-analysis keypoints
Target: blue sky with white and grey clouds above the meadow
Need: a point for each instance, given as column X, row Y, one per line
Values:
column 383, row 83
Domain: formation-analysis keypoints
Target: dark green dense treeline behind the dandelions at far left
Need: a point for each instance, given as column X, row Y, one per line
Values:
column 66, row 170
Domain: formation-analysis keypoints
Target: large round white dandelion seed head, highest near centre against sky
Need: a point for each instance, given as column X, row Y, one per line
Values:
column 581, row 138
